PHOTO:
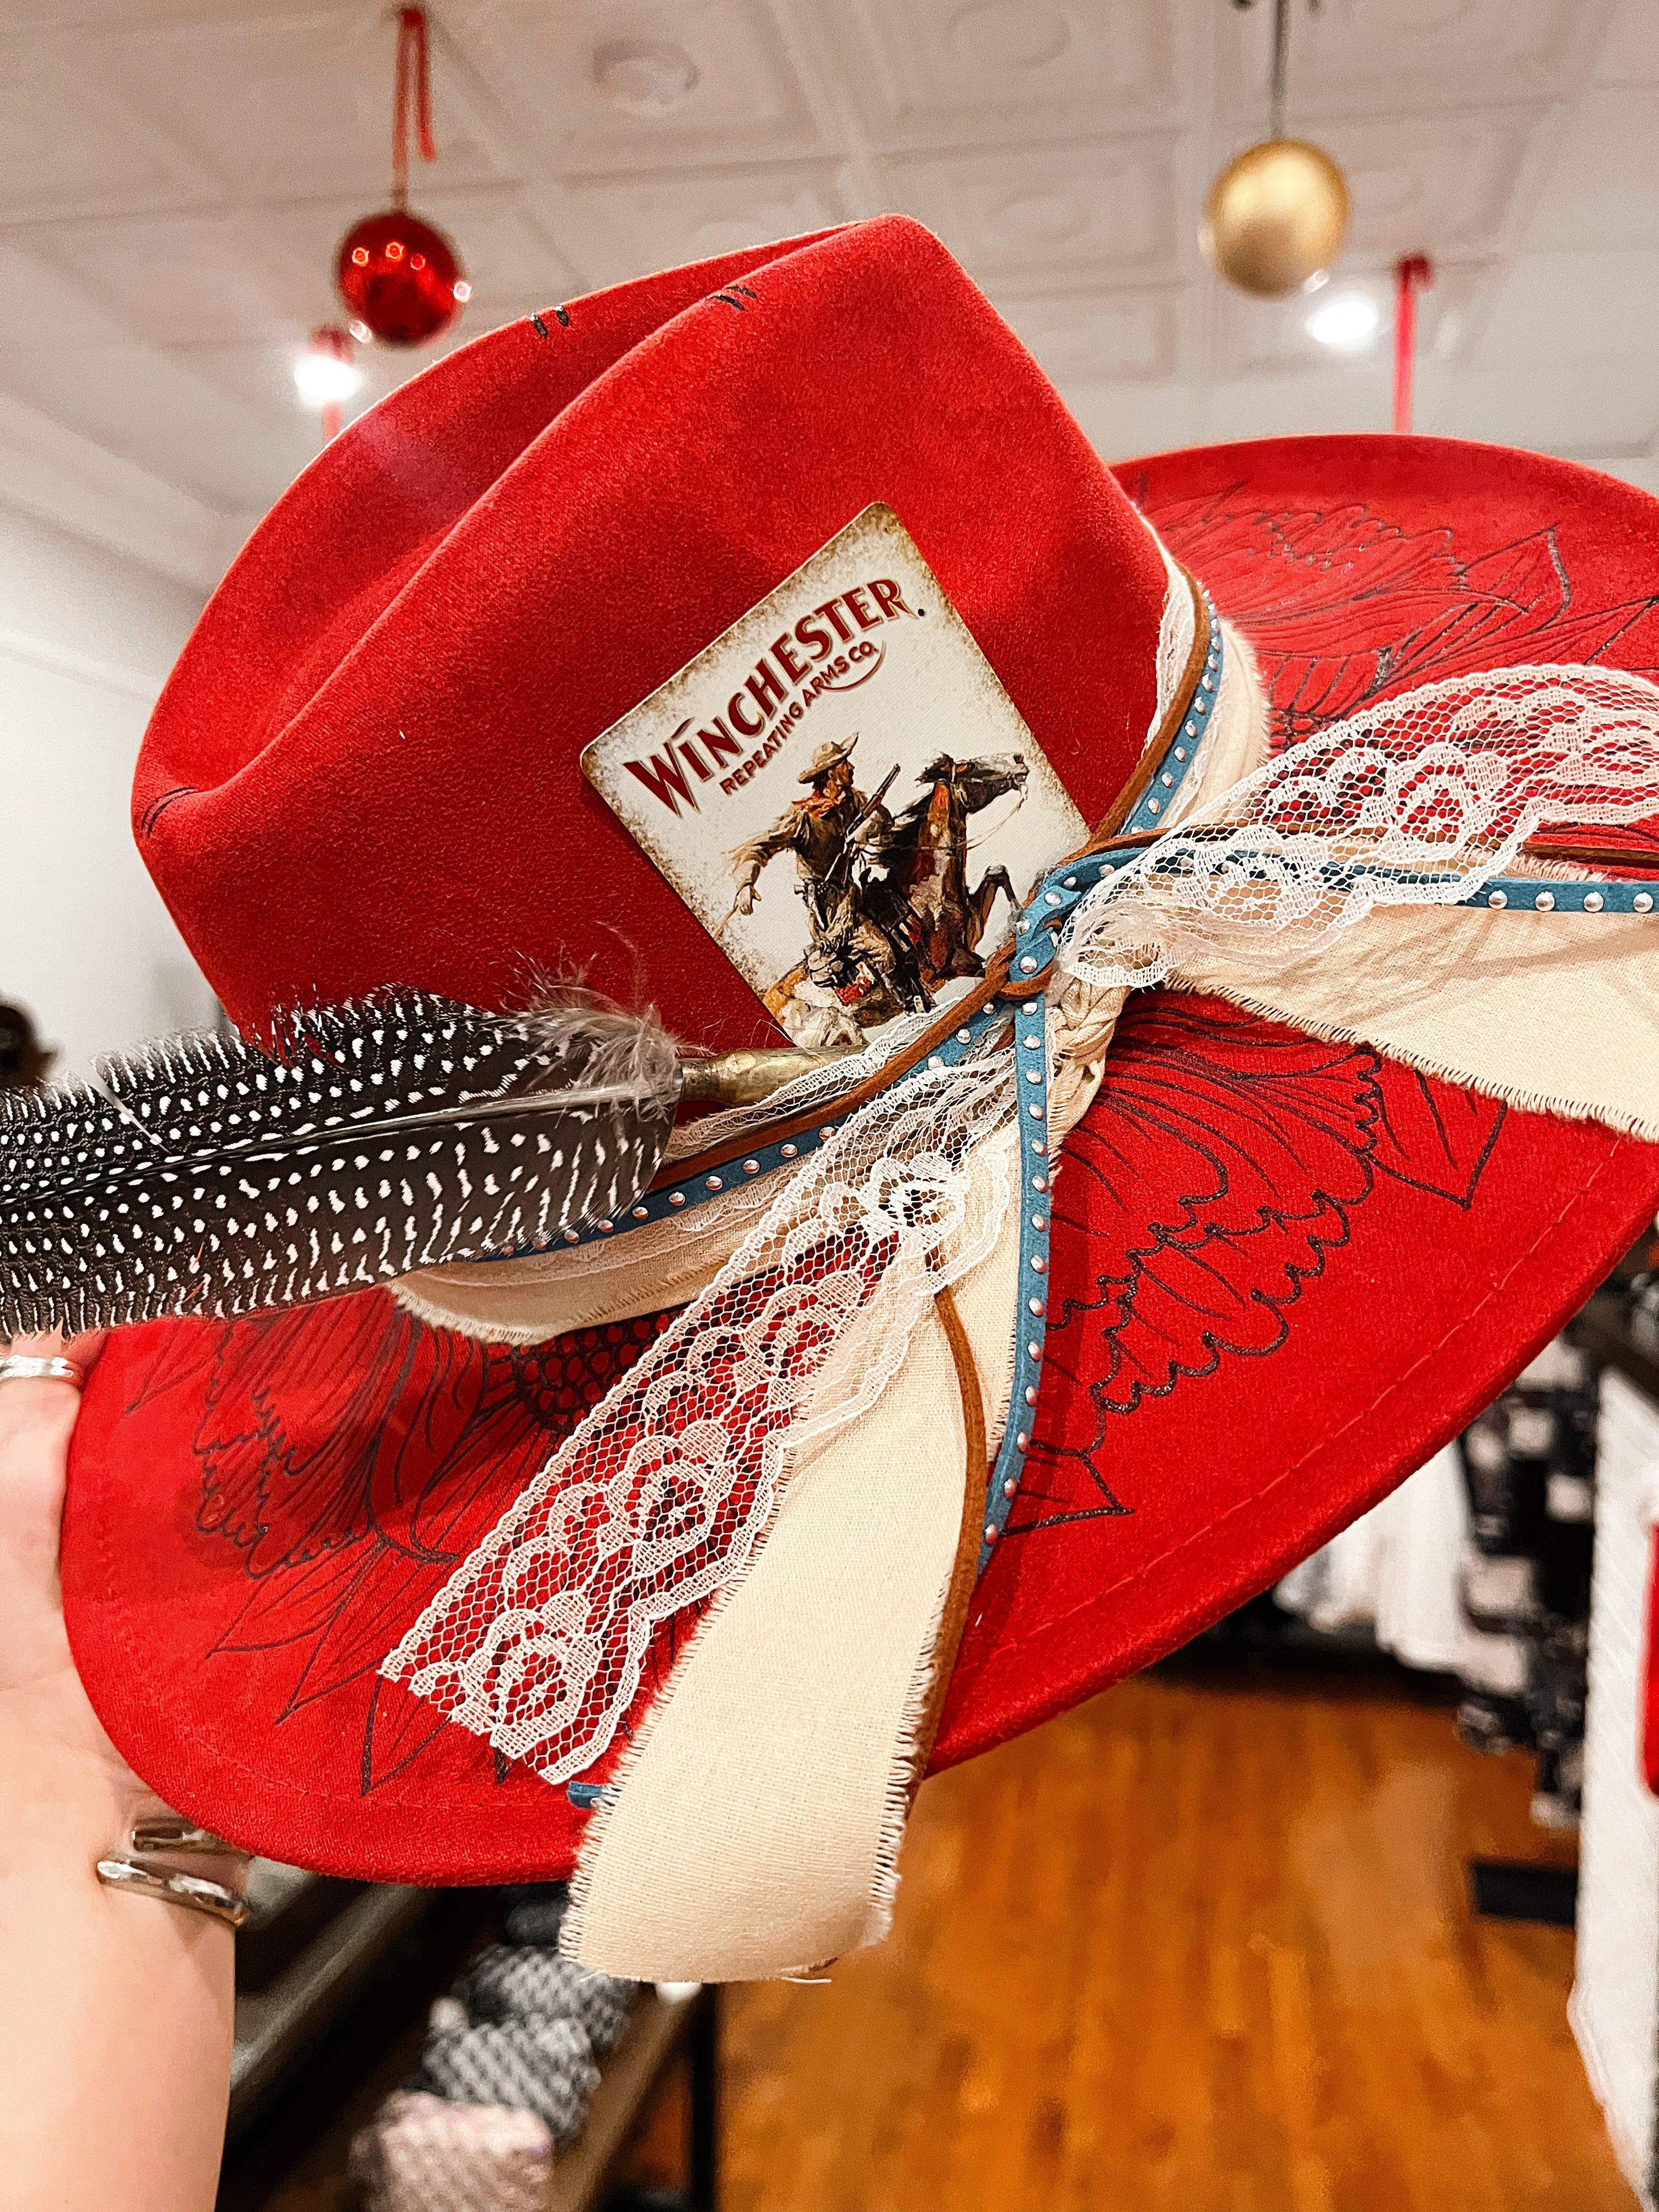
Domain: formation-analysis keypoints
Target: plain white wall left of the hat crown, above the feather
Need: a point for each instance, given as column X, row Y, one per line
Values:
column 87, row 638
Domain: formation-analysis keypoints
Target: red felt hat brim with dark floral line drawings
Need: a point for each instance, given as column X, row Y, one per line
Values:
column 1284, row 1273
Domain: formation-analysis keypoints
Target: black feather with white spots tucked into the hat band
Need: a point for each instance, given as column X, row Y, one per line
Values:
column 207, row 1178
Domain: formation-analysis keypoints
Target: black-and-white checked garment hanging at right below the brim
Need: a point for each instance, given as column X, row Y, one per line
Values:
column 1530, row 1465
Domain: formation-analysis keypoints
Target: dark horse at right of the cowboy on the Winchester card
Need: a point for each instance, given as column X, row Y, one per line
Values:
column 928, row 868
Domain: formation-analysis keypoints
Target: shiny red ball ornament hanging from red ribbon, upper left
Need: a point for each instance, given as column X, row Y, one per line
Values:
column 401, row 278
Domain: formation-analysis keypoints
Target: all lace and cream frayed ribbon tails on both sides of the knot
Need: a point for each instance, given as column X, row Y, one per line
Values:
column 800, row 1412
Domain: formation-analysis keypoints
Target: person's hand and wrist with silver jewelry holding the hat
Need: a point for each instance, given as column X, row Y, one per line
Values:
column 116, row 2012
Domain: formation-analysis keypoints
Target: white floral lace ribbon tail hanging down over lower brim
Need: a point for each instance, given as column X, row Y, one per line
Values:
column 656, row 1503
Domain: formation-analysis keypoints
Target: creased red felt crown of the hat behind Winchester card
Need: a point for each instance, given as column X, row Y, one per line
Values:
column 366, row 766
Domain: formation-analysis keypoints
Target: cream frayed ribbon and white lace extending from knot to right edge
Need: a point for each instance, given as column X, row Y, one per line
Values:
column 1326, row 886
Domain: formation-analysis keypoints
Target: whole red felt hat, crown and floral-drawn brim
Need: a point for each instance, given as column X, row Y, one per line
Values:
column 1284, row 1271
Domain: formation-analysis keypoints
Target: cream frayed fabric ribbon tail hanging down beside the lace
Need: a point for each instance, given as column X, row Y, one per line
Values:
column 786, row 1786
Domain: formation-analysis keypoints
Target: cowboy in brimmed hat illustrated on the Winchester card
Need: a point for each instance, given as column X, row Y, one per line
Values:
column 839, row 837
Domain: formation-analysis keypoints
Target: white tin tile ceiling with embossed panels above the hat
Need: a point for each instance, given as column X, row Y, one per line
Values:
column 174, row 178
